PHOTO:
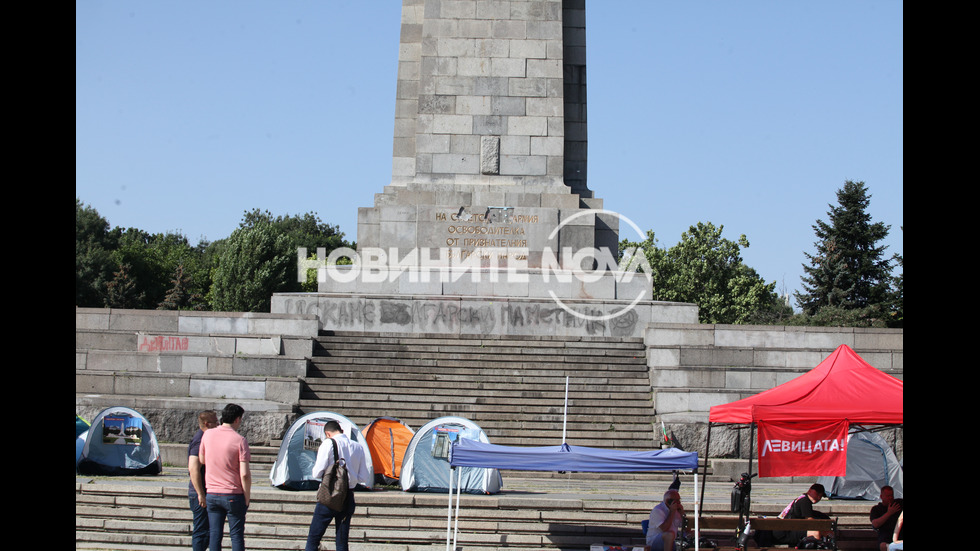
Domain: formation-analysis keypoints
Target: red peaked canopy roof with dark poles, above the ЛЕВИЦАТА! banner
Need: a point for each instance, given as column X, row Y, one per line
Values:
column 843, row 387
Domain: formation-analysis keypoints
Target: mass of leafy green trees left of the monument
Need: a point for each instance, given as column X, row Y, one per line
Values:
column 131, row 268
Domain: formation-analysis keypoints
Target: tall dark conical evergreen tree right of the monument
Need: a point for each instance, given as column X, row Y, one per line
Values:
column 849, row 270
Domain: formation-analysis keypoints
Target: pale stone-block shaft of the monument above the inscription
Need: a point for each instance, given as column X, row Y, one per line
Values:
column 479, row 92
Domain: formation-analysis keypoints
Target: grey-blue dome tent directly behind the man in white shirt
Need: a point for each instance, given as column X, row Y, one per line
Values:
column 293, row 468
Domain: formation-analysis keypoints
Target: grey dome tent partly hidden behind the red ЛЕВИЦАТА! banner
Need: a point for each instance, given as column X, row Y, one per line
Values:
column 871, row 464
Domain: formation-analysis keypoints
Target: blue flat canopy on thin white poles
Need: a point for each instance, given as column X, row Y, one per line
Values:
column 470, row 453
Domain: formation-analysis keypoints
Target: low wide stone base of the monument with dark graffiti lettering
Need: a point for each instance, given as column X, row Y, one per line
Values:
column 486, row 302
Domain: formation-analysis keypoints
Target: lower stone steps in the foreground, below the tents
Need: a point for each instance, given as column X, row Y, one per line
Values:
column 534, row 512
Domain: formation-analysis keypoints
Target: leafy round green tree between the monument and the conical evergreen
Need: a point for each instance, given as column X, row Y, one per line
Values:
column 707, row 269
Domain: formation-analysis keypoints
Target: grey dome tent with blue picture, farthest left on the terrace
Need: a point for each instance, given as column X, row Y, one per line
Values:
column 119, row 442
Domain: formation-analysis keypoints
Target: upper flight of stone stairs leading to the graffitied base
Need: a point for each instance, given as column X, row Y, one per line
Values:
column 513, row 388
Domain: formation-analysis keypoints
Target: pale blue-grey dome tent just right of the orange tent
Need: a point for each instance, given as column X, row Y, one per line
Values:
column 426, row 464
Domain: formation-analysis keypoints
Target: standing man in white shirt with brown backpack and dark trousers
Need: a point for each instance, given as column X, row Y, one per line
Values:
column 353, row 455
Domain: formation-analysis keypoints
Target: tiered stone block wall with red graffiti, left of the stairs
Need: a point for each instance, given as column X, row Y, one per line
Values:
column 170, row 365
